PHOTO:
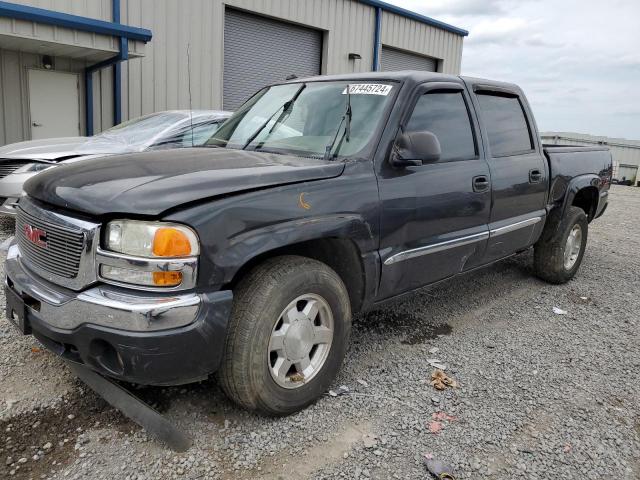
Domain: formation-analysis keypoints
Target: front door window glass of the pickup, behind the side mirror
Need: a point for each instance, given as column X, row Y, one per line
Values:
column 445, row 114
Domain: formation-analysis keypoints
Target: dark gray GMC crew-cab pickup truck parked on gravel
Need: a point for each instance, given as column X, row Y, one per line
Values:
column 317, row 199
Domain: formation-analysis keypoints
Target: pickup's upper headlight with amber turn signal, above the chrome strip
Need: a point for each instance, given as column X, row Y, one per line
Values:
column 148, row 239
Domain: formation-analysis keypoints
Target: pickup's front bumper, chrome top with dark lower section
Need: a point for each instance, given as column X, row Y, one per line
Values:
column 138, row 337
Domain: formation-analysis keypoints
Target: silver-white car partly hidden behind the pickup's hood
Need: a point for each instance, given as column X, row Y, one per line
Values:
column 169, row 129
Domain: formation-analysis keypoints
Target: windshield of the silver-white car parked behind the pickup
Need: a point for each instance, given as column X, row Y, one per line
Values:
column 134, row 135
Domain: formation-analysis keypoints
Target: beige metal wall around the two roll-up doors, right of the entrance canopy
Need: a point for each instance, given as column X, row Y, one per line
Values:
column 160, row 80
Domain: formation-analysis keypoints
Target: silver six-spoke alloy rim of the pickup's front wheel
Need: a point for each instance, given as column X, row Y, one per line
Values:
column 300, row 341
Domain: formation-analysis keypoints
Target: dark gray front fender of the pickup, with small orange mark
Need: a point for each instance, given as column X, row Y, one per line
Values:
column 237, row 229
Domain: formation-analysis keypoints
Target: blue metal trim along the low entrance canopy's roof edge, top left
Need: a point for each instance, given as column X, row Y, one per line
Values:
column 41, row 15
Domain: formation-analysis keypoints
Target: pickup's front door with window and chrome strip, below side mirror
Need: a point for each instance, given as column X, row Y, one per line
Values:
column 434, row 221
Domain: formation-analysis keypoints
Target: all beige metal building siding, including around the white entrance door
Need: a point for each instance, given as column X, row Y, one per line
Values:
column 160, row 80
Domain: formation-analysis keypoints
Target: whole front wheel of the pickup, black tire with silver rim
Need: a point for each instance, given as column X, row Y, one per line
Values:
column 260, row 299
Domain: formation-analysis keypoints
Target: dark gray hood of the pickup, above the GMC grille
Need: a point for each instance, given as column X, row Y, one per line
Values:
column 150, row 183
